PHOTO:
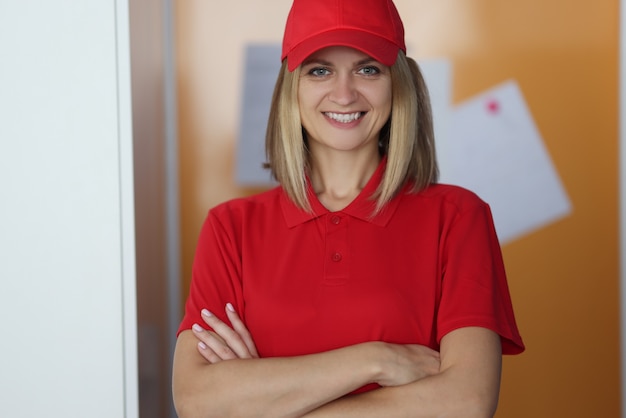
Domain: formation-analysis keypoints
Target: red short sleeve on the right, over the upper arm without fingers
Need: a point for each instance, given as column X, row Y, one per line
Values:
column 474, row 286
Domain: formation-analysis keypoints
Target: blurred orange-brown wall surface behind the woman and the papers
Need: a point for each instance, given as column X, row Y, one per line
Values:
column 564, row 55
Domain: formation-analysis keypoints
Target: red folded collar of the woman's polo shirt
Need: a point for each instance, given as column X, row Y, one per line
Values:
column 361, row 207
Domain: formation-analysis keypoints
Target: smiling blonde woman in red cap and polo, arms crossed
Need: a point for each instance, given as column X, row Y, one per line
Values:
column 359, row 287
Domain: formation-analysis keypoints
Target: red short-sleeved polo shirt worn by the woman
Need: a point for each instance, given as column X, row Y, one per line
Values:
column 303, row 283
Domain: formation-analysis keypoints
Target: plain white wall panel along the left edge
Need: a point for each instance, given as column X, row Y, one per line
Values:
column 67, row 295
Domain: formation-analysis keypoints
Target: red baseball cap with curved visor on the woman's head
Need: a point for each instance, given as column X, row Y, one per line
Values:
column 371, row 26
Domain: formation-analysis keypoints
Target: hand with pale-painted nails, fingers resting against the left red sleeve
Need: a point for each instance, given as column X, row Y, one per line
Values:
column 224, row 342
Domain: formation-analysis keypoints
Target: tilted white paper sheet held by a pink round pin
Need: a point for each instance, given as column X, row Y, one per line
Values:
column 495, row 149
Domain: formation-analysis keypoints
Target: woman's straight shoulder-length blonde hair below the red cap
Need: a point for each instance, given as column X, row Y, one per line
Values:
column 407, row 139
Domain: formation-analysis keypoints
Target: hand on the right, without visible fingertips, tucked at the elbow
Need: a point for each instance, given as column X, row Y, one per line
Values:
column 406, row 363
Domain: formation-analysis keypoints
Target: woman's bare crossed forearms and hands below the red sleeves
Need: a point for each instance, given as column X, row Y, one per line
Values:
column 219, row 373
